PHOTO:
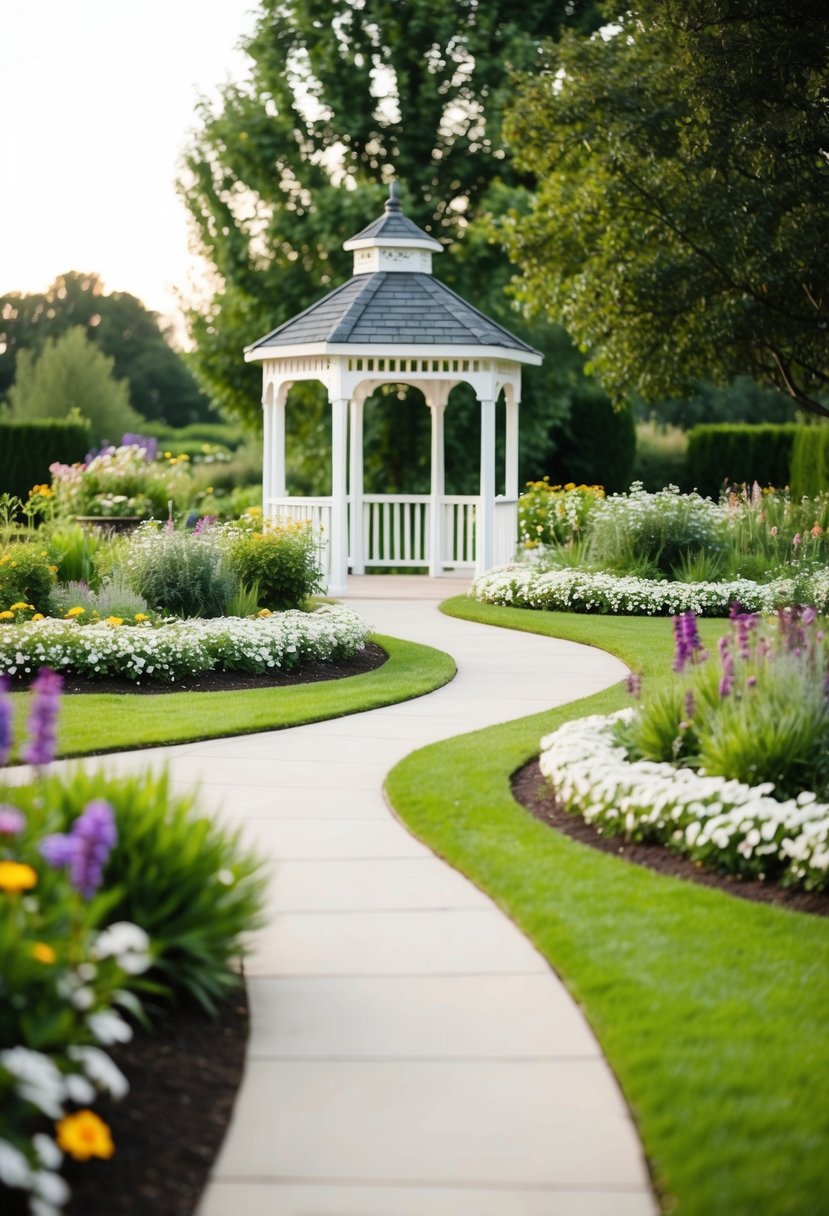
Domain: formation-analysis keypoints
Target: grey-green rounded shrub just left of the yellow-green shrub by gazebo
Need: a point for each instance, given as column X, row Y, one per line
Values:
column 184, row 575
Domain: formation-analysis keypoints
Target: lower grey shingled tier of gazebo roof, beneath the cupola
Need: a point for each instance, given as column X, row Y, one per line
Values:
column 398, row 307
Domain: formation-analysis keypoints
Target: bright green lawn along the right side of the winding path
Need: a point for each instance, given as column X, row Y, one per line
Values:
column 713, row 1012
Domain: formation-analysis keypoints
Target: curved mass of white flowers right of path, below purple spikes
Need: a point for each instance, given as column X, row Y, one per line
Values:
column 728, row 825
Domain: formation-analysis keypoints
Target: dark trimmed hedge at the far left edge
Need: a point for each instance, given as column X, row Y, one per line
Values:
column 27, row 449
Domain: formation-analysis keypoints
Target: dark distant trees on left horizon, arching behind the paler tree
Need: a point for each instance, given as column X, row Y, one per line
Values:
column 161, row 385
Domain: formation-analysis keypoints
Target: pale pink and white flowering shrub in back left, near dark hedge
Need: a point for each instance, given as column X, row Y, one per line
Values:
column 125, row 481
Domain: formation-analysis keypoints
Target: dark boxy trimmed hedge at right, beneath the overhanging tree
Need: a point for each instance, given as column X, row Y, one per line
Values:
column 740, row 453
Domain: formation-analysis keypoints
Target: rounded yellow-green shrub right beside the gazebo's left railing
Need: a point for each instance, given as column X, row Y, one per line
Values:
column 283, row 560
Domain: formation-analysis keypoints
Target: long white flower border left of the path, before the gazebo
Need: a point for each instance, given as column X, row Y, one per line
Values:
column 173, row 650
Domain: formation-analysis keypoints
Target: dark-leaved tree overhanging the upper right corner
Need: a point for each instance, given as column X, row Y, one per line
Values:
column 679, row 227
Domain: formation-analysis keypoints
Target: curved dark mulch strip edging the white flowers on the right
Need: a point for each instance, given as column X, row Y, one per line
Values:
column 533, row 792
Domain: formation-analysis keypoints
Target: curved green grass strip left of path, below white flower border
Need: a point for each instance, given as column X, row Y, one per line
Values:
column 94, row 723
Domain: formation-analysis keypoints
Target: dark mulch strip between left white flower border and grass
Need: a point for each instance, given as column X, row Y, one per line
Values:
column 368, row 660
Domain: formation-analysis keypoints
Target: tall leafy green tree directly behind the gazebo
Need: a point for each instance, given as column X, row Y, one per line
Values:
column 340, row 99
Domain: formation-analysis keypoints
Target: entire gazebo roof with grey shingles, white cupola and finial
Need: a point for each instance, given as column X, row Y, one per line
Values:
column 392, row 305
